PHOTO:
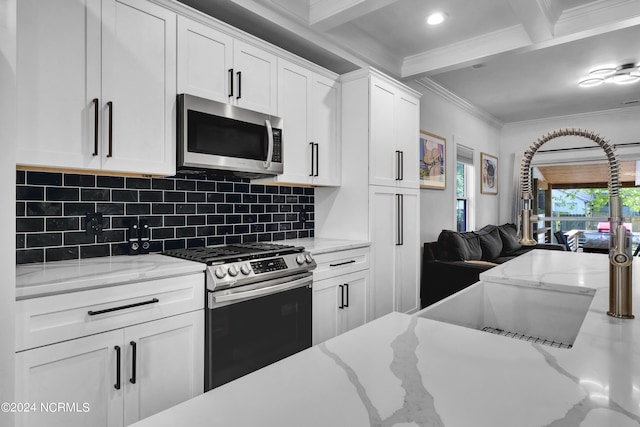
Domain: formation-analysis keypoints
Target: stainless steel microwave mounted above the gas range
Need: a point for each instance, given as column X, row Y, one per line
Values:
column 215, row 136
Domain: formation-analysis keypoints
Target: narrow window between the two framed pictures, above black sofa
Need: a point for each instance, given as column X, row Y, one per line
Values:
column 464, row 188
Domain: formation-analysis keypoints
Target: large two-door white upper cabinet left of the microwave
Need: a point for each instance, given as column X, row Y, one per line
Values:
column 96, row 86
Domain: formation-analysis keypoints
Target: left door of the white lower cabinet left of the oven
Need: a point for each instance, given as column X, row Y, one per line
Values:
column 77, row 372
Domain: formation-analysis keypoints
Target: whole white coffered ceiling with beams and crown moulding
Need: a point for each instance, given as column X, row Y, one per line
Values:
column 512, row 59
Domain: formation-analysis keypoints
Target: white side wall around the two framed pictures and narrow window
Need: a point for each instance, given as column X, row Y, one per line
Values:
column 457, row 125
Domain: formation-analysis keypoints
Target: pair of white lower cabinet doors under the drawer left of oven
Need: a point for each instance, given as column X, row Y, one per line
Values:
column 113, row 378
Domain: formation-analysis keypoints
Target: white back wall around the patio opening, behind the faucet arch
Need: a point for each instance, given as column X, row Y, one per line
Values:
column 618, row 126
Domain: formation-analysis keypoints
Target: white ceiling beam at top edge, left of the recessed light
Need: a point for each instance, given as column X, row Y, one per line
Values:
column 327, row 14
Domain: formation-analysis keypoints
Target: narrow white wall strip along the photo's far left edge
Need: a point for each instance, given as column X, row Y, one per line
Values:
column 7, row 202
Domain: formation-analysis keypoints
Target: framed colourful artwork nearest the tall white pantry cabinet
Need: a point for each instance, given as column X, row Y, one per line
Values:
column 433, row 152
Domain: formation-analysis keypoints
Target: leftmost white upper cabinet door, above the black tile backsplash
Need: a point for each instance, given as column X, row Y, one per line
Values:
column 58, row 65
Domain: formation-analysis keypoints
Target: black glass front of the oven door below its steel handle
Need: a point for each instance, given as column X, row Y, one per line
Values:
column 245, row 336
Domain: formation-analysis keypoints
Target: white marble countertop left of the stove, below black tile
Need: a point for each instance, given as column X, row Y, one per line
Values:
column 34, row 280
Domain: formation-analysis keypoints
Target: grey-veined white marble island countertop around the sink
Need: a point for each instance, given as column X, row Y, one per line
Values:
column 411, row 371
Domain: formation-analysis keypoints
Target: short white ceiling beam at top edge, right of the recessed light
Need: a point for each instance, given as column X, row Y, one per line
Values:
column 537, row 17
